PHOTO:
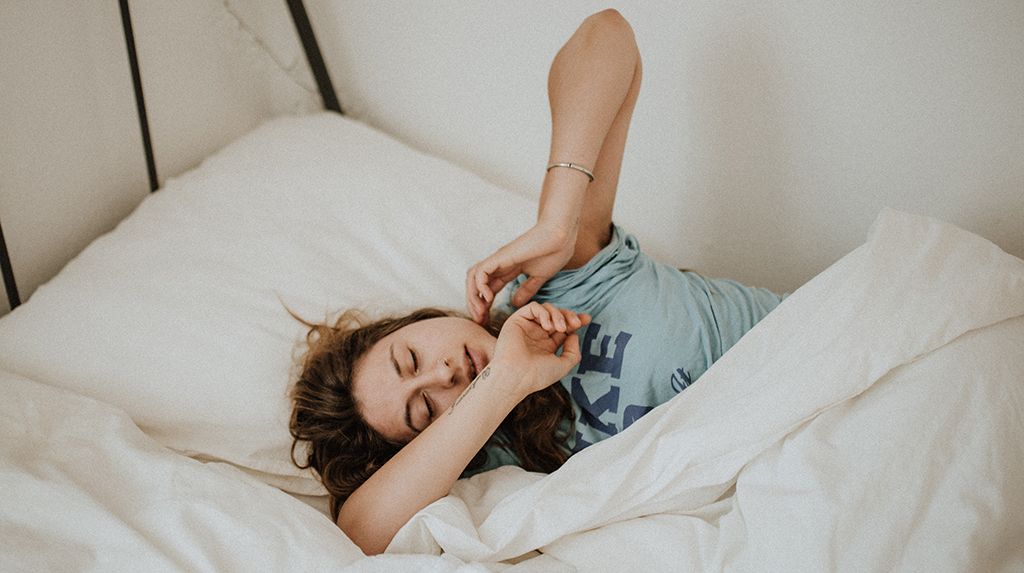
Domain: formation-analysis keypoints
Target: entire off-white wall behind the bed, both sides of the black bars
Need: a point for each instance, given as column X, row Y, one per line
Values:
column 767, row 136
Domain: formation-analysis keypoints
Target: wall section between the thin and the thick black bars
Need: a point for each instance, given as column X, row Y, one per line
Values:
column 215, row 71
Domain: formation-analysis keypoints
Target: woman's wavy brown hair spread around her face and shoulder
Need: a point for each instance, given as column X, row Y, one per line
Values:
column 345, row 451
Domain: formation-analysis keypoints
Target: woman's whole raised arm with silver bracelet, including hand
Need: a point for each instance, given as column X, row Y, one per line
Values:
column 592, row 90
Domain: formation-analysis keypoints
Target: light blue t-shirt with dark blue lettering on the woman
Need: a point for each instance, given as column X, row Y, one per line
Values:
column 655, row 331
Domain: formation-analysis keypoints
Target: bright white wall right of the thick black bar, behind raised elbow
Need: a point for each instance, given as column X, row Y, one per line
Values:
column 767, row 136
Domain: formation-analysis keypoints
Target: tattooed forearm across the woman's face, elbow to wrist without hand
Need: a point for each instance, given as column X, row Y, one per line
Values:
column 425, row 470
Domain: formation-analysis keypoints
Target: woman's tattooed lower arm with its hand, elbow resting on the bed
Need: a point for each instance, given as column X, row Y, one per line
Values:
column 425, row 469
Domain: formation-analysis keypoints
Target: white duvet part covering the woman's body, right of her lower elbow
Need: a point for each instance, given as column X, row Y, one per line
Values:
column 843, row 433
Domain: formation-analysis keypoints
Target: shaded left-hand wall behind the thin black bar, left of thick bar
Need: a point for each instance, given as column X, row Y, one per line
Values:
column 72, row 163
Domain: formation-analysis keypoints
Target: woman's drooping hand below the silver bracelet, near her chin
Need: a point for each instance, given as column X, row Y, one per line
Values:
column 540, row 253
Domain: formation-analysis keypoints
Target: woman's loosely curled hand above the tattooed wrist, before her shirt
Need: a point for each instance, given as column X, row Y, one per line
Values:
column 530, row 339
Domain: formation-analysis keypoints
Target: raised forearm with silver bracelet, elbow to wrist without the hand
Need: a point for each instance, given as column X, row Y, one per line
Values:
column 589, row 82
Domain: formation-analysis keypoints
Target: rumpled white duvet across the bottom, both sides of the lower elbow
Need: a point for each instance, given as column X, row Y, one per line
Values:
column 874, row 422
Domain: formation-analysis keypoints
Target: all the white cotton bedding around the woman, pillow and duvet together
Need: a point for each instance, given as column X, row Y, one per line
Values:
column 872, row 422
